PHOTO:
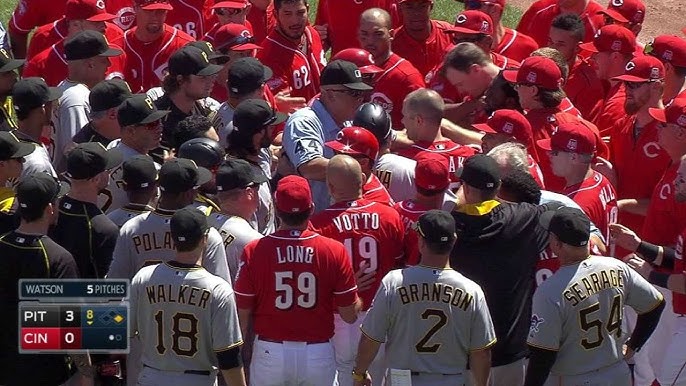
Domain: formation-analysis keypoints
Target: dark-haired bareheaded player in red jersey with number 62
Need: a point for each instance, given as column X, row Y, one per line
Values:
column 293, row 50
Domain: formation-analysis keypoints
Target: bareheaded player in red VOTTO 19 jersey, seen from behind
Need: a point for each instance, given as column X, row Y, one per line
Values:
column 373, row 235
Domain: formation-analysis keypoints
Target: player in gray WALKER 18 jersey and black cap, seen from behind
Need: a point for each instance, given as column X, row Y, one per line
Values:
column 184, row 316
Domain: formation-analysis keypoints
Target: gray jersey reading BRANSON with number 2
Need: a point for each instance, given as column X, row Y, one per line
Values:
column 430, row 319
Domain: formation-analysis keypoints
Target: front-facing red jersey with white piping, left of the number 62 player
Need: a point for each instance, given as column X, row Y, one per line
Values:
column 146, row 63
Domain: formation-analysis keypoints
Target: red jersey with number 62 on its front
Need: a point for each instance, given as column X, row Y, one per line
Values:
column 293, row 68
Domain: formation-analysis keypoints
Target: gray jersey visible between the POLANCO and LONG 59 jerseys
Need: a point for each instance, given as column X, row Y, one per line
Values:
column 236, row 233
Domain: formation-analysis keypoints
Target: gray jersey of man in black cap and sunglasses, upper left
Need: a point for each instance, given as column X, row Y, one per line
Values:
column 69, row 115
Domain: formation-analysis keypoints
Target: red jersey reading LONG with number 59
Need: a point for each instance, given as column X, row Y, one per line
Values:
column 294, row 278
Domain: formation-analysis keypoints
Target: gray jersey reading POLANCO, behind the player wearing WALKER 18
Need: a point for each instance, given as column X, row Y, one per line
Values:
column 146, row 240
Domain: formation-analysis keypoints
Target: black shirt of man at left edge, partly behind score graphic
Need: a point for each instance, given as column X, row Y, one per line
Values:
column 24, row 256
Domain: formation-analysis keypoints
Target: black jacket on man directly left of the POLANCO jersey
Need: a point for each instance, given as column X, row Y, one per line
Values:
column 85, row 231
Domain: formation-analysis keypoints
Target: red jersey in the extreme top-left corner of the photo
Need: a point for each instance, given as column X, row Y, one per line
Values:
column 29, row 14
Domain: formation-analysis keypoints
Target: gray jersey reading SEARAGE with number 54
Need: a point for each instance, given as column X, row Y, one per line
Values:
column 579, row 310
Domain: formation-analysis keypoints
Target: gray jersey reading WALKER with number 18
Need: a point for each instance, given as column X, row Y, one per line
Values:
column 184, row 316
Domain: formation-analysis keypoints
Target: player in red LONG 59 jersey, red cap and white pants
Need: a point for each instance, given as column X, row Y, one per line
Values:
column 298, row 278
